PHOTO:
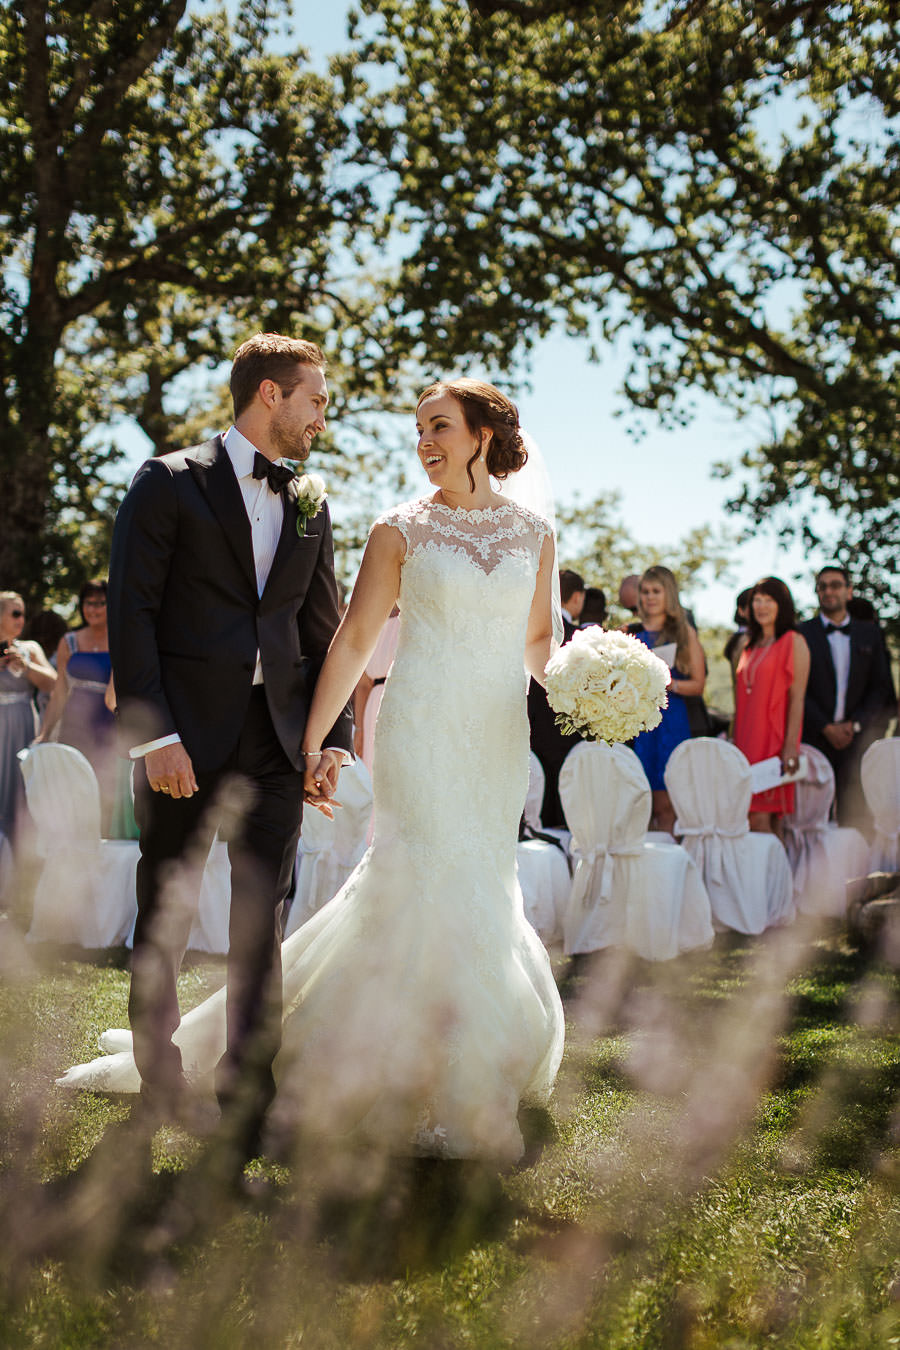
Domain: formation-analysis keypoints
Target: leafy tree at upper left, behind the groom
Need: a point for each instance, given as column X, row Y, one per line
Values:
column 169, row 186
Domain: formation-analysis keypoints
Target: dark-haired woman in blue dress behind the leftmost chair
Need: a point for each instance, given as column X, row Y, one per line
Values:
column 78, row 705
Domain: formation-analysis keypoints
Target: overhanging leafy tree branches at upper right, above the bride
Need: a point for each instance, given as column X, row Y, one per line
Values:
column 720, row 187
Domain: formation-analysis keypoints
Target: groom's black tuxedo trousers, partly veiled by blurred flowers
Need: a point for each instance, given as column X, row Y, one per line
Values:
column 257, row 799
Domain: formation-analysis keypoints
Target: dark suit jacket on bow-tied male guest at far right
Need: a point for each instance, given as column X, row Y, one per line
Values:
column 870, row 685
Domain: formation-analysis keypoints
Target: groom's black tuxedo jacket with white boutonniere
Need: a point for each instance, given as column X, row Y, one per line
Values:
column 186, row 620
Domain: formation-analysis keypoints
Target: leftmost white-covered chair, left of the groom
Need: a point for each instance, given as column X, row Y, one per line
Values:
column 86, row 893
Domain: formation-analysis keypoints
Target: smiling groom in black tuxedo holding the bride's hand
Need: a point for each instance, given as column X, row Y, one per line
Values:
column 222, row 607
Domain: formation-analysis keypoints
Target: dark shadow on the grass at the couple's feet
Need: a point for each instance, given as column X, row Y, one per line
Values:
column 122, row 1218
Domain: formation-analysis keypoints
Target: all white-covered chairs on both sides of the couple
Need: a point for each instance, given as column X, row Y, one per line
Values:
column 607, row 882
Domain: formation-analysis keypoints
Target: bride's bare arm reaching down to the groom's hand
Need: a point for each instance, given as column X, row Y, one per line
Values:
column 374, row 596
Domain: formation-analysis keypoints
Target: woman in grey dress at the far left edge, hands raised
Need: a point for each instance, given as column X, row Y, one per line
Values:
column 24, row 670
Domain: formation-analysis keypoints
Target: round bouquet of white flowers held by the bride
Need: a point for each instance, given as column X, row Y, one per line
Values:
column 607, row 686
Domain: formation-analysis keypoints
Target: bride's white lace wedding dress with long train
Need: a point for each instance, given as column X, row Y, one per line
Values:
column 420, row 1008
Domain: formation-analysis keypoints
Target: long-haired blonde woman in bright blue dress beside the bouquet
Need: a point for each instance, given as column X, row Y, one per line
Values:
column 666, row 631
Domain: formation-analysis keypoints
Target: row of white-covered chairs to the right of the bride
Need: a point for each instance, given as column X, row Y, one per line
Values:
column 639, row 889
